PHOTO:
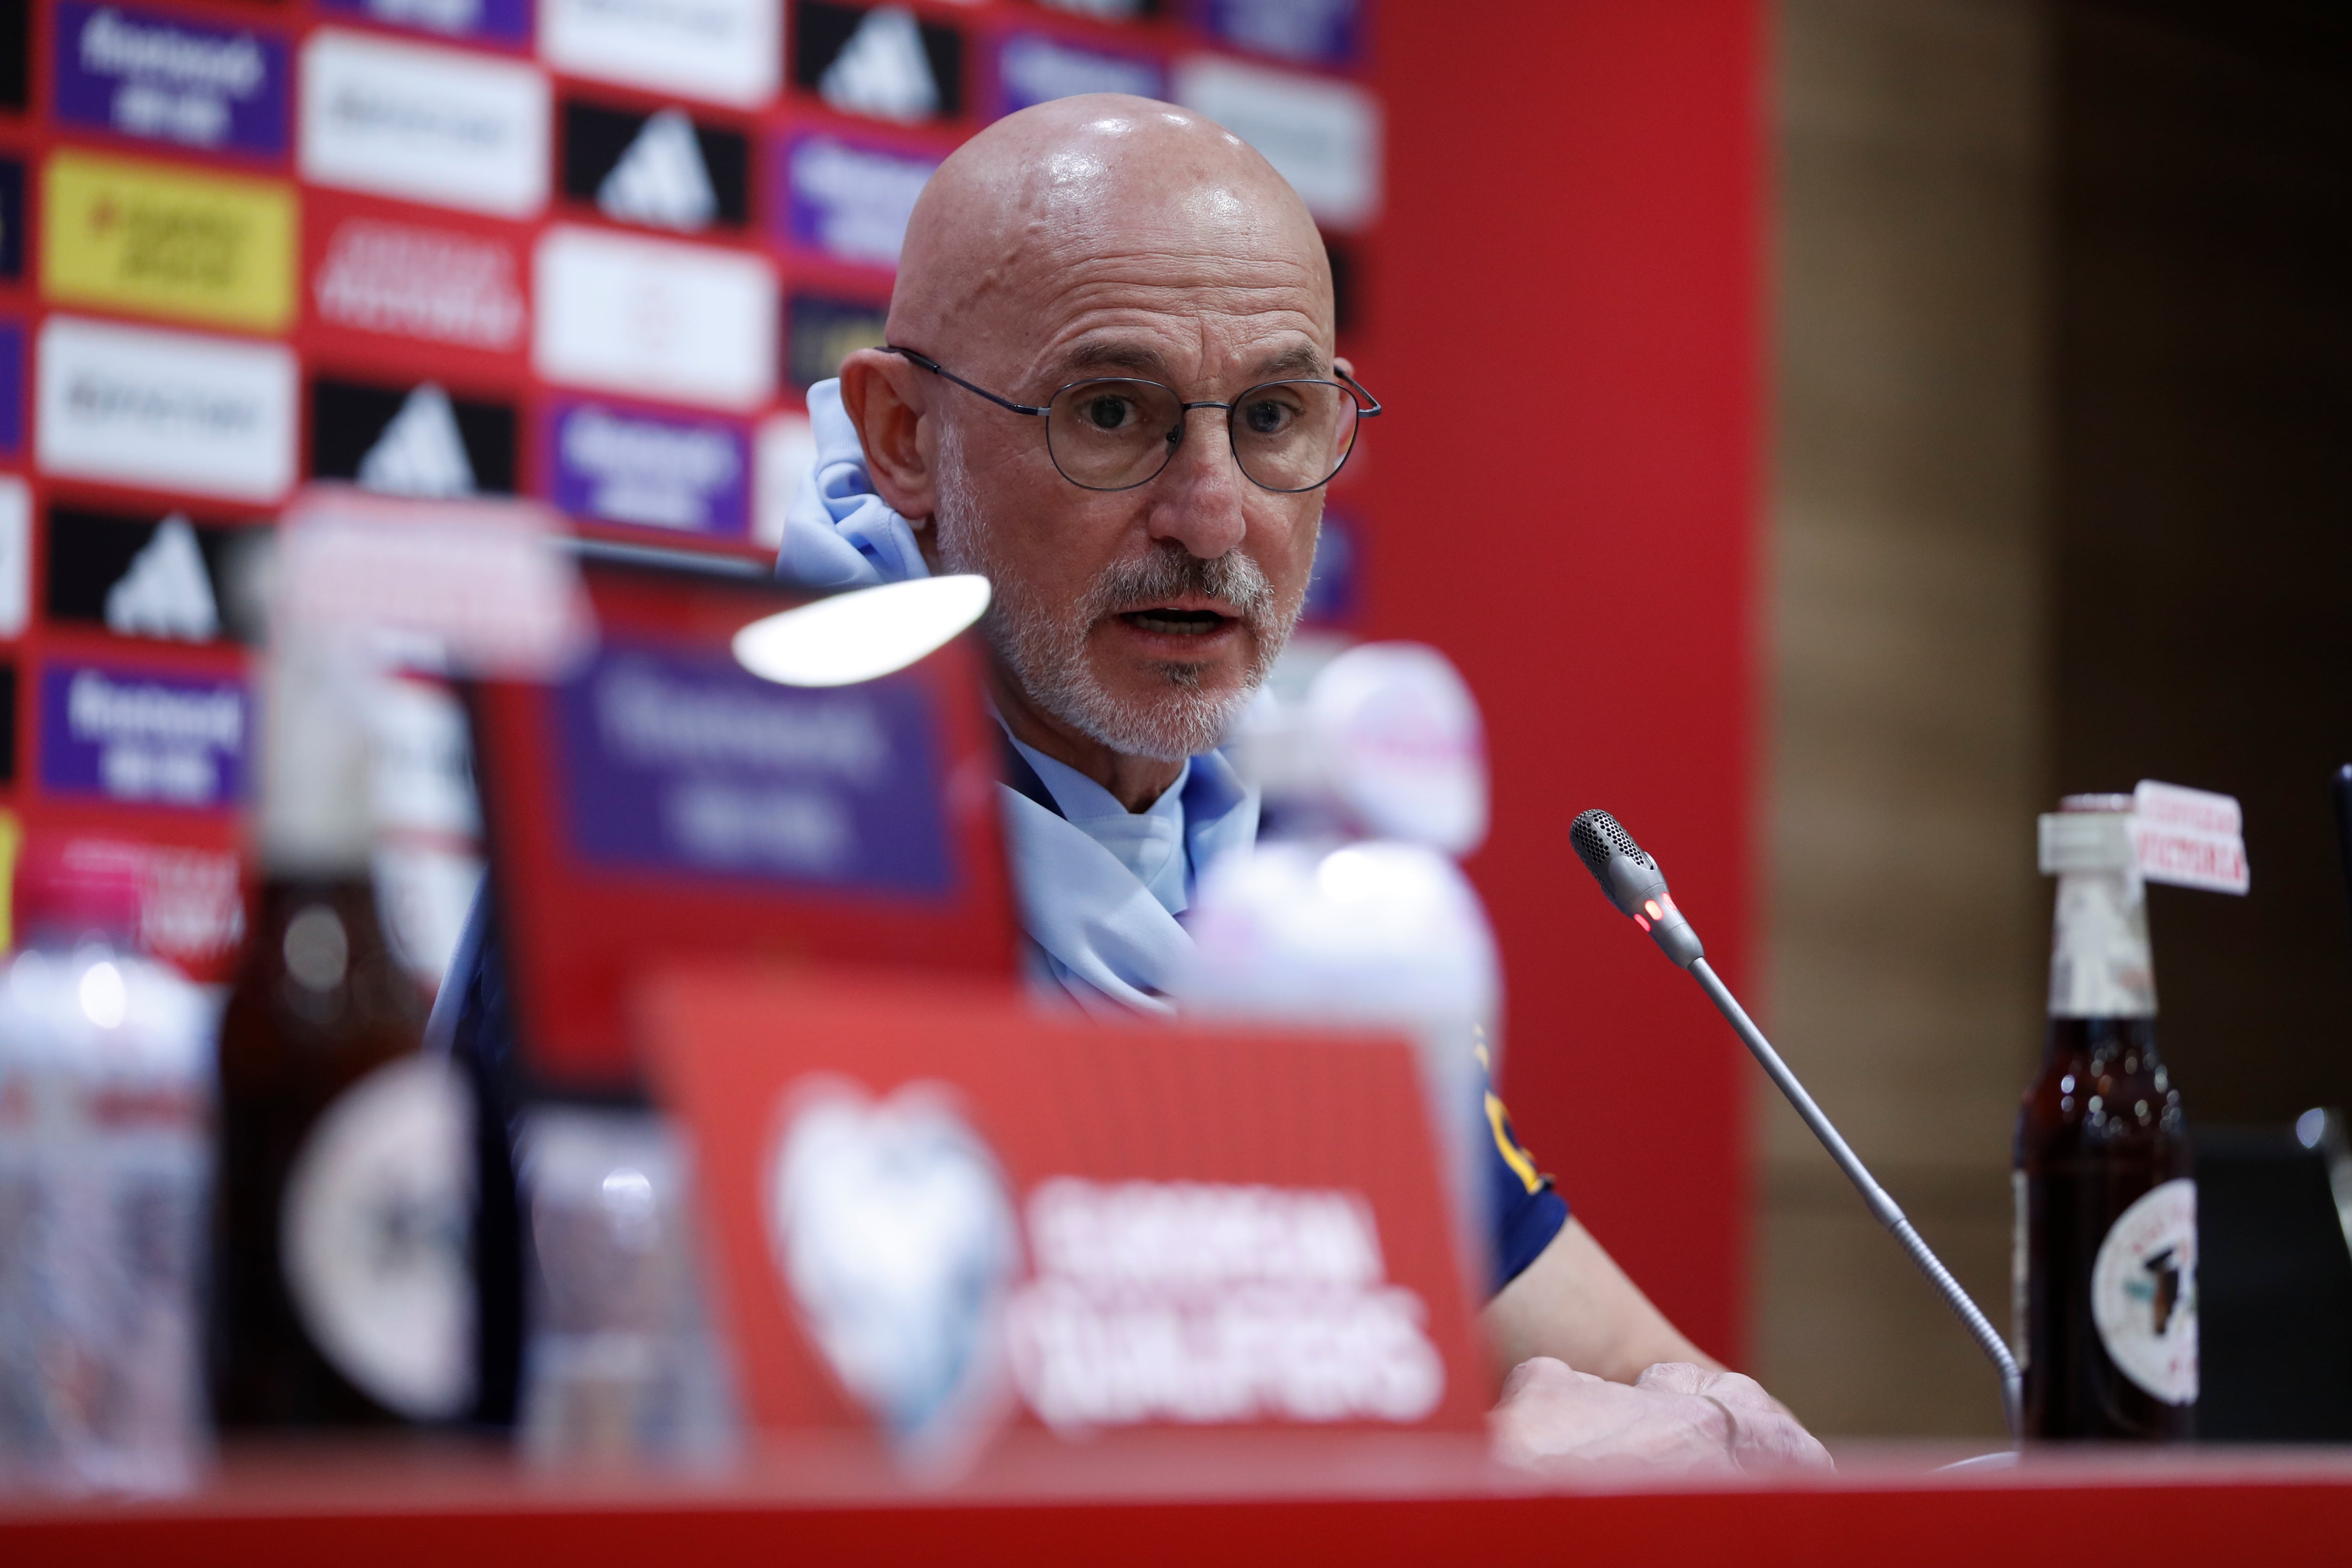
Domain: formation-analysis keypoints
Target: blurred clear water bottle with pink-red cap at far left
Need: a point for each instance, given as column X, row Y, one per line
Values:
column 105, row 1181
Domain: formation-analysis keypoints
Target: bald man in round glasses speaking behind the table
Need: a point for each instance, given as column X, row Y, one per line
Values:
column 1111, row 389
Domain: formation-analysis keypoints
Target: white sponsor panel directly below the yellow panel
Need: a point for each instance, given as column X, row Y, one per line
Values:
column 163, row 410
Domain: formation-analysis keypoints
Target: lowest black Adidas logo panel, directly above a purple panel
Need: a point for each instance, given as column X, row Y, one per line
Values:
column 145, row 577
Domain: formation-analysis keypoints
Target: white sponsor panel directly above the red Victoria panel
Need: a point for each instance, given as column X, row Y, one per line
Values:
column 425, row 123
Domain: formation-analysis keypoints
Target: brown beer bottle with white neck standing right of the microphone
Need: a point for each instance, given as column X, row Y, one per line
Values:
column 2106, row 1202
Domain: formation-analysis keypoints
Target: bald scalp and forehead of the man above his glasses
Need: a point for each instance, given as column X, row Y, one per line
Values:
column 1085, row 196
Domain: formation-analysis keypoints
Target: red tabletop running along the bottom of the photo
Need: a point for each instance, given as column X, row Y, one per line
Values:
column 1182, row 1501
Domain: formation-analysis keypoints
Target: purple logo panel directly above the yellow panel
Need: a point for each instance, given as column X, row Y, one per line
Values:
column 171, row 79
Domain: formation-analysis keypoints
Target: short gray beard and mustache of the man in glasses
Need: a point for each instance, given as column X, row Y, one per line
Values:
column 1045, row 643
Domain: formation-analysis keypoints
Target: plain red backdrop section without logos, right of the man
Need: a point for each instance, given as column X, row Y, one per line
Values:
column 1565, row 497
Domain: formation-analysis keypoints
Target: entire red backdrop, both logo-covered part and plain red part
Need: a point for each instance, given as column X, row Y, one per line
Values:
column 594, row 253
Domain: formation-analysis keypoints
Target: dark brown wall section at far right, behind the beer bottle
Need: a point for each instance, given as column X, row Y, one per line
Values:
column 2203, row 497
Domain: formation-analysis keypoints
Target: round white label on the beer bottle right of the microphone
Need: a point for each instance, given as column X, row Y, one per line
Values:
column 2144, row 1292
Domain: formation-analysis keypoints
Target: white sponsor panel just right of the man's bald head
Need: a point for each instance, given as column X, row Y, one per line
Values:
column 1321, row 135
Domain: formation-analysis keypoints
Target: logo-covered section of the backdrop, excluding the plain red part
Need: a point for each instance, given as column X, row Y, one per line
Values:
column 573, row 250
